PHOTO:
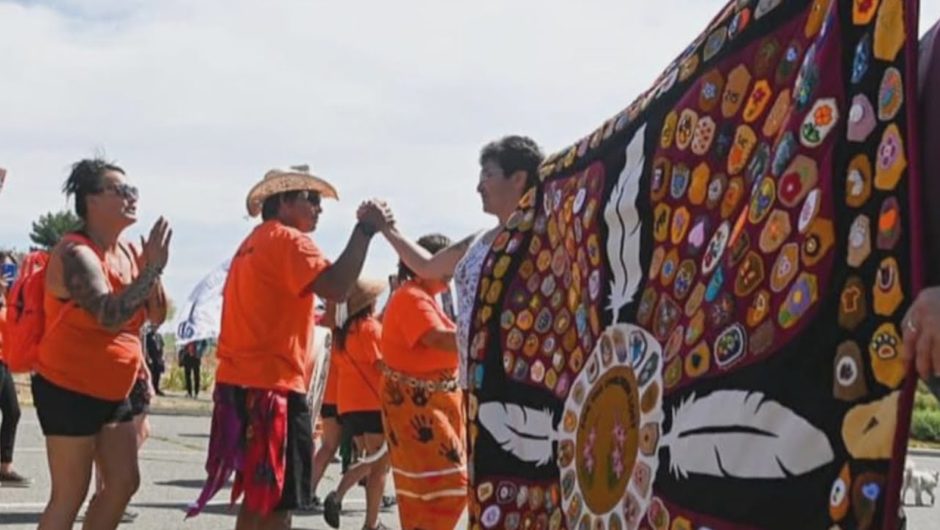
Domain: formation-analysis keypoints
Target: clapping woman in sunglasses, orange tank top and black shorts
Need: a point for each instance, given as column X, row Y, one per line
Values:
column 99, row 292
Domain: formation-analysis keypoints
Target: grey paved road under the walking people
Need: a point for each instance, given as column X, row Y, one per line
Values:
column 172, row 475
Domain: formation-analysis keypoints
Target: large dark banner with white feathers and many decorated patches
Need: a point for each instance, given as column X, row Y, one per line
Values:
column 694, row 321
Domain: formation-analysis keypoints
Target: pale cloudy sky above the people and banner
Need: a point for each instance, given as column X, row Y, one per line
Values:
column 197, row 100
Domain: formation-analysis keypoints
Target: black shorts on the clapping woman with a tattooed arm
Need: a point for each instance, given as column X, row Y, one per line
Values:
column 63, row 412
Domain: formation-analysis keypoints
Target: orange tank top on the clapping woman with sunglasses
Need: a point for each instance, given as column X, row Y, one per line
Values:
column 78, row 354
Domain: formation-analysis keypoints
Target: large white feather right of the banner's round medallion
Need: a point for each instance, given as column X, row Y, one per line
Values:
column 741, row 434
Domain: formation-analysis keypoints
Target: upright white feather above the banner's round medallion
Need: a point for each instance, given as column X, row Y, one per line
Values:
column 623, row 224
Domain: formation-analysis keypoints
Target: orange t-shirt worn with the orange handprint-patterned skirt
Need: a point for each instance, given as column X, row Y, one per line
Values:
column 412, row 312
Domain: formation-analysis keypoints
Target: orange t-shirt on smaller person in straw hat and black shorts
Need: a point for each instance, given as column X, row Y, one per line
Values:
column 359, row 378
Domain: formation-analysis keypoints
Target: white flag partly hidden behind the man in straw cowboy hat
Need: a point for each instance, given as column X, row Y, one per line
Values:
column 201, row 318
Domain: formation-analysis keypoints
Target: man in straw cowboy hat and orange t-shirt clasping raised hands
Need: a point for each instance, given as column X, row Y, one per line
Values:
column 261, row 425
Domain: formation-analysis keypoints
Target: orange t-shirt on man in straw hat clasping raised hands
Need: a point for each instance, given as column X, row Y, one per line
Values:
column 268, row 311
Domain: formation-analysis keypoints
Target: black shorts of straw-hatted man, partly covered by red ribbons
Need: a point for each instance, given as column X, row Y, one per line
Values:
column 299, row 459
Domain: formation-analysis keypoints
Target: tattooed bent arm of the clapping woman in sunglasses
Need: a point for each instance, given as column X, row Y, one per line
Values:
column 88, row 287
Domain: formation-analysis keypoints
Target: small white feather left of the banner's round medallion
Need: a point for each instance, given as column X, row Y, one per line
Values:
column 524, row 432
